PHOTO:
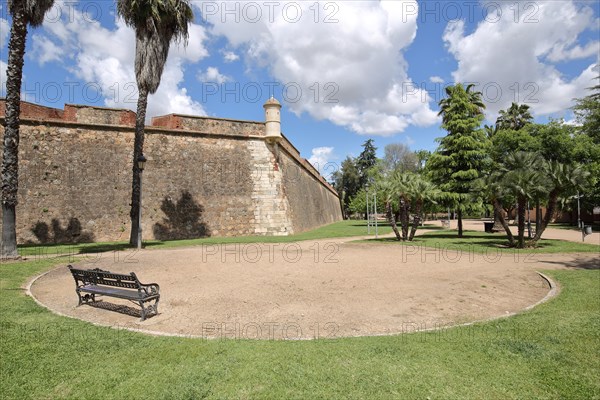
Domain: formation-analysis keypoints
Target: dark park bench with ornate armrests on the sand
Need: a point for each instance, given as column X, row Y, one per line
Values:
column 92, row 282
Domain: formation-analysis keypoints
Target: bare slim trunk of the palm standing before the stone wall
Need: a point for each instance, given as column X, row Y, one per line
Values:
column 138, row 149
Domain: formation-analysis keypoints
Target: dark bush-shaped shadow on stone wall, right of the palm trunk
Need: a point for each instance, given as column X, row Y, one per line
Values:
column 183, row 219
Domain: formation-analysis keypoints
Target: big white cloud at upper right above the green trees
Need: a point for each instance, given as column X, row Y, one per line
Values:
column 512, row 60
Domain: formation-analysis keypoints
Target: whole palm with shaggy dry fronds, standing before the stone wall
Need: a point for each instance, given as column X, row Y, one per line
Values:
column 157, row 23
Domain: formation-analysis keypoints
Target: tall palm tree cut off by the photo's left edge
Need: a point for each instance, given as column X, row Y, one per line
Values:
column 24, row 13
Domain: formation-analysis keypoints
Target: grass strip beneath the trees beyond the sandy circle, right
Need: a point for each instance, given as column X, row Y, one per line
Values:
column 481, row 242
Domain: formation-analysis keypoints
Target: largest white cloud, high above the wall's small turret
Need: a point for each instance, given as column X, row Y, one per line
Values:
column 340, row 61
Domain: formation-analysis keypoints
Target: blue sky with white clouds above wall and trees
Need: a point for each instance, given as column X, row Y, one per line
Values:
column 344, row 71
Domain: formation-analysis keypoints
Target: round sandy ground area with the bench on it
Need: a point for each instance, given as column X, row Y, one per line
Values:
column 312, row 289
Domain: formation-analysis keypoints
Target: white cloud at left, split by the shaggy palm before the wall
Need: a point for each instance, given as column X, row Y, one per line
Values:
column 104, row 58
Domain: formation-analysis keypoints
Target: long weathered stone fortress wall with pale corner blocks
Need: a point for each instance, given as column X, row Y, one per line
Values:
column 204, row 177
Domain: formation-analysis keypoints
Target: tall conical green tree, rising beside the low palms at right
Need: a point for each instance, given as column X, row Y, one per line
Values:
column 462, row 154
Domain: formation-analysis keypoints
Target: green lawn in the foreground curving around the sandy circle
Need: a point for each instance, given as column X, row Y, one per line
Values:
column 551, row 352
